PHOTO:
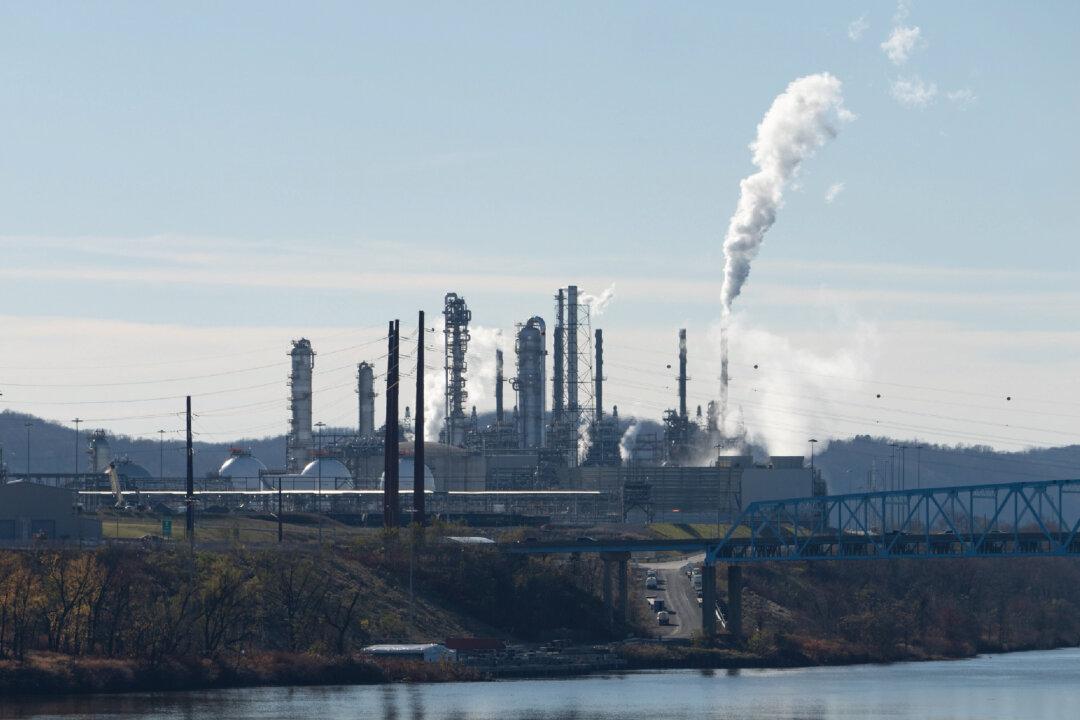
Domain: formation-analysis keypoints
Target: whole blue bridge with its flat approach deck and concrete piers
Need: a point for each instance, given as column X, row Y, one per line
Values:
column 995, row 521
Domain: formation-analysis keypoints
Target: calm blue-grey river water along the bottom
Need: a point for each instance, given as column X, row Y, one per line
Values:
column 1038, row 686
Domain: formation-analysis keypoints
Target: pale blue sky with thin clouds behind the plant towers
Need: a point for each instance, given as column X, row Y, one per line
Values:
column 185, row 188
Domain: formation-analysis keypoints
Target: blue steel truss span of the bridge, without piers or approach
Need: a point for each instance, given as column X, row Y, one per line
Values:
column 1037, row 519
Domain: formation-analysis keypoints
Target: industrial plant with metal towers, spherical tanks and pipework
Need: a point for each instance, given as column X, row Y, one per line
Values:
column 551, row 452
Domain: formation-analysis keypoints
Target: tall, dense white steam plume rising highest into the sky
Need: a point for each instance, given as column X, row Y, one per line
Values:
column 802, row 119
